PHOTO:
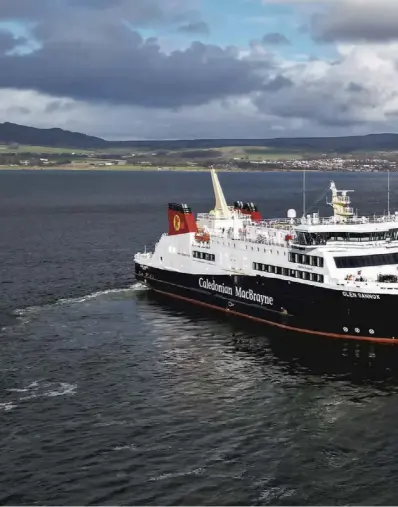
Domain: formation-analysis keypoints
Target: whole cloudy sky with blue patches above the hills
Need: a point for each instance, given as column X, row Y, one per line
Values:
column 169, row 69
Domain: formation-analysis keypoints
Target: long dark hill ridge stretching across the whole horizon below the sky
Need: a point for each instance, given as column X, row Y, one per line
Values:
column 12, row 133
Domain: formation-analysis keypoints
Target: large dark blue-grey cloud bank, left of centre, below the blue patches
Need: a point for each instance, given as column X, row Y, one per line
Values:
column 121, row 67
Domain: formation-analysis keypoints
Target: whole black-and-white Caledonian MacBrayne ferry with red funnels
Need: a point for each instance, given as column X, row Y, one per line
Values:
column 334, row 277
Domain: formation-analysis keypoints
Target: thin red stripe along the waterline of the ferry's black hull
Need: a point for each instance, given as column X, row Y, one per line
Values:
column 389, row 341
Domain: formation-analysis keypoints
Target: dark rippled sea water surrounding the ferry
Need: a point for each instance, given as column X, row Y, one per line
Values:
column 110, row 395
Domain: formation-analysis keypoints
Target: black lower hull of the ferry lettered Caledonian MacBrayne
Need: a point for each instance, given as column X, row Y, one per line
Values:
column 288, row 305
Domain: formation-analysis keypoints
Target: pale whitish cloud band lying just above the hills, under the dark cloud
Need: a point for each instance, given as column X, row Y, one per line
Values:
column 220, row 119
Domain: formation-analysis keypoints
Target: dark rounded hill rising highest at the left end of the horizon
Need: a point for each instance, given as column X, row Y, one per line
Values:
column 57, row 138
